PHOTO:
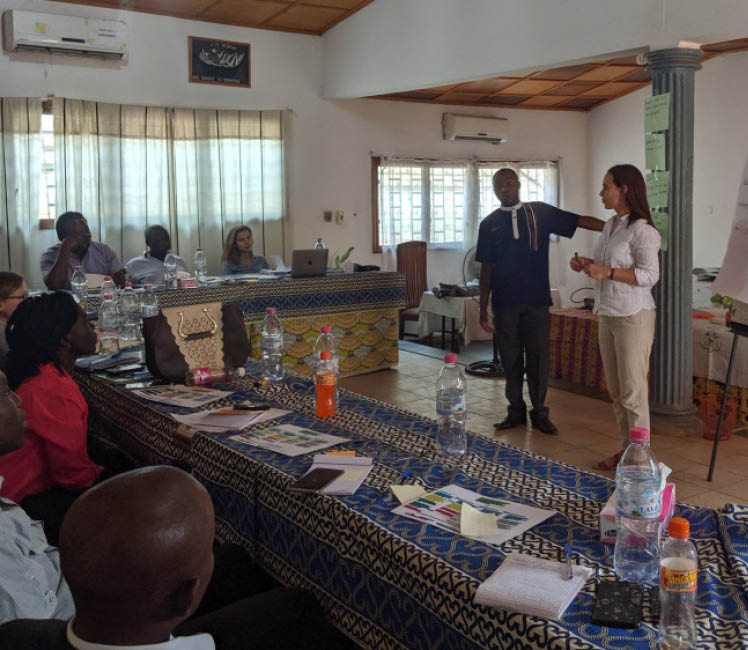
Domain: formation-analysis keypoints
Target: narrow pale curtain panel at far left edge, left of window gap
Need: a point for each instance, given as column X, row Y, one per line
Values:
column 20, row 171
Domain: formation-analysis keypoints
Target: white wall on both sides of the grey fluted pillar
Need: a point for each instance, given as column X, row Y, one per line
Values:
column 616, row 134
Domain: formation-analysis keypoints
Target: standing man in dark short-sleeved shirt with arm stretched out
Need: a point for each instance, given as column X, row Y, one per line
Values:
column 513, row 251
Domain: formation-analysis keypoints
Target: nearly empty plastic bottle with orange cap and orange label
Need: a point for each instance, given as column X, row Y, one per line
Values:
column 679, row 571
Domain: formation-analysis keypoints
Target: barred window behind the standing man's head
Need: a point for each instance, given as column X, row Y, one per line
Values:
column 430, row 200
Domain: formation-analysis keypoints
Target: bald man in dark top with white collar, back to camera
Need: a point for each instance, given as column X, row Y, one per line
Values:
column 137, row 553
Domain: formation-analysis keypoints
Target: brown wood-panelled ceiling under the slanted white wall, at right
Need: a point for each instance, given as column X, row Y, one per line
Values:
column 571, row 88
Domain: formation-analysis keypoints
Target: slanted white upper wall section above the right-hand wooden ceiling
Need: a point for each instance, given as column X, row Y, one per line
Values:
column 397, row 45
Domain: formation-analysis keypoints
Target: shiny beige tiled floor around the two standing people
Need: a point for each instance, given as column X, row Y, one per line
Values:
column 587, row 430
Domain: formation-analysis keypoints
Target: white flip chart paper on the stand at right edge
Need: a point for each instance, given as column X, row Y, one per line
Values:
column 732, row 280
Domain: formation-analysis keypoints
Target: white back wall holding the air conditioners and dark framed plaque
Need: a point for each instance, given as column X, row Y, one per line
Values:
column 329, row 142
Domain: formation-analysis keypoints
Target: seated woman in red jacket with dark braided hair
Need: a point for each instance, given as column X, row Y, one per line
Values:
column 45, row 335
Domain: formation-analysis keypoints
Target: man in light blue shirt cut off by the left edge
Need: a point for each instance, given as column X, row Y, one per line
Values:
column 24, row 550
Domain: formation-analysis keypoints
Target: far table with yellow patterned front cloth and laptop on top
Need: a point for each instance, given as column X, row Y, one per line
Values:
column 362, row 309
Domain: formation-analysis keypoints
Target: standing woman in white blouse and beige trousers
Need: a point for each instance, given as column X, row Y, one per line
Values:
column 625, row 267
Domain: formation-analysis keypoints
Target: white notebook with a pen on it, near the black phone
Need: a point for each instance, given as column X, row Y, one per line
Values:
column 531, row 585
